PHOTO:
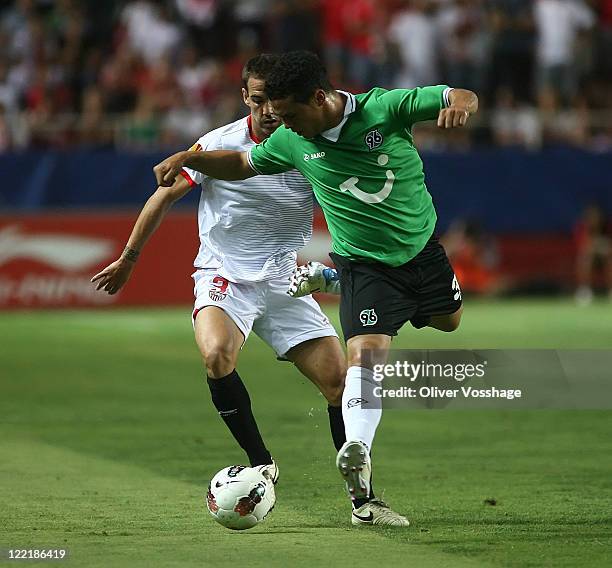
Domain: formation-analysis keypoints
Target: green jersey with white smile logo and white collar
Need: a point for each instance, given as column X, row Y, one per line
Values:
column 366, row 173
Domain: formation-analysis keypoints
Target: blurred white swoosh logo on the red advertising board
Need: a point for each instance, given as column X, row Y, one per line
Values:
column 64, row 252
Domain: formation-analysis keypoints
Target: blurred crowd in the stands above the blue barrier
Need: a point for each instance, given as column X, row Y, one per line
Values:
column 148, row 74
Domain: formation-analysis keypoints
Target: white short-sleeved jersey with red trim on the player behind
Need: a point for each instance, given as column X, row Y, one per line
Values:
column 250, row 229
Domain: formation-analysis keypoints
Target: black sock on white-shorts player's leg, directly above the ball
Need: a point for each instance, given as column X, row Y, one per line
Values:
column 231, row 399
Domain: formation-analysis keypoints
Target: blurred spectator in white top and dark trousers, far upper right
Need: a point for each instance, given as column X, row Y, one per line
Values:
column 558, row 23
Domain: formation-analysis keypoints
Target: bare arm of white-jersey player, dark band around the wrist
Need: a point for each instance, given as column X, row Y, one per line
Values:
column 116, row 274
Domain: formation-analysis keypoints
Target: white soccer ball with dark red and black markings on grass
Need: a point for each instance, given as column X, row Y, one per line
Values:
column 239, row 497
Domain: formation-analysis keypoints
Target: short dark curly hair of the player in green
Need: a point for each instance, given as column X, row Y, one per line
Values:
column 298, row 74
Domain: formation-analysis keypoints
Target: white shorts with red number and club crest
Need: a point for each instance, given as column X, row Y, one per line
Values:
column 264, row 307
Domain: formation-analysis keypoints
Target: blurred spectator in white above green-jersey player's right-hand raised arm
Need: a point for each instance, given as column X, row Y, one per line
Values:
column 413, row 33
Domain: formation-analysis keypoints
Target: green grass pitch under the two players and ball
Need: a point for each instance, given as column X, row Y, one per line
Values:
column 108, row 439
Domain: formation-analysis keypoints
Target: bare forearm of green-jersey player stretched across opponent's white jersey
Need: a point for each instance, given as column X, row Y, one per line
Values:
column 228, row 165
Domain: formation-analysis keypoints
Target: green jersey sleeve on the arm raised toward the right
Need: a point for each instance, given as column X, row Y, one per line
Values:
column 408, row 106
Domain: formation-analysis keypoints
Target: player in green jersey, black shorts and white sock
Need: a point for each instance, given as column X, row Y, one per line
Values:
column 358, row 154
